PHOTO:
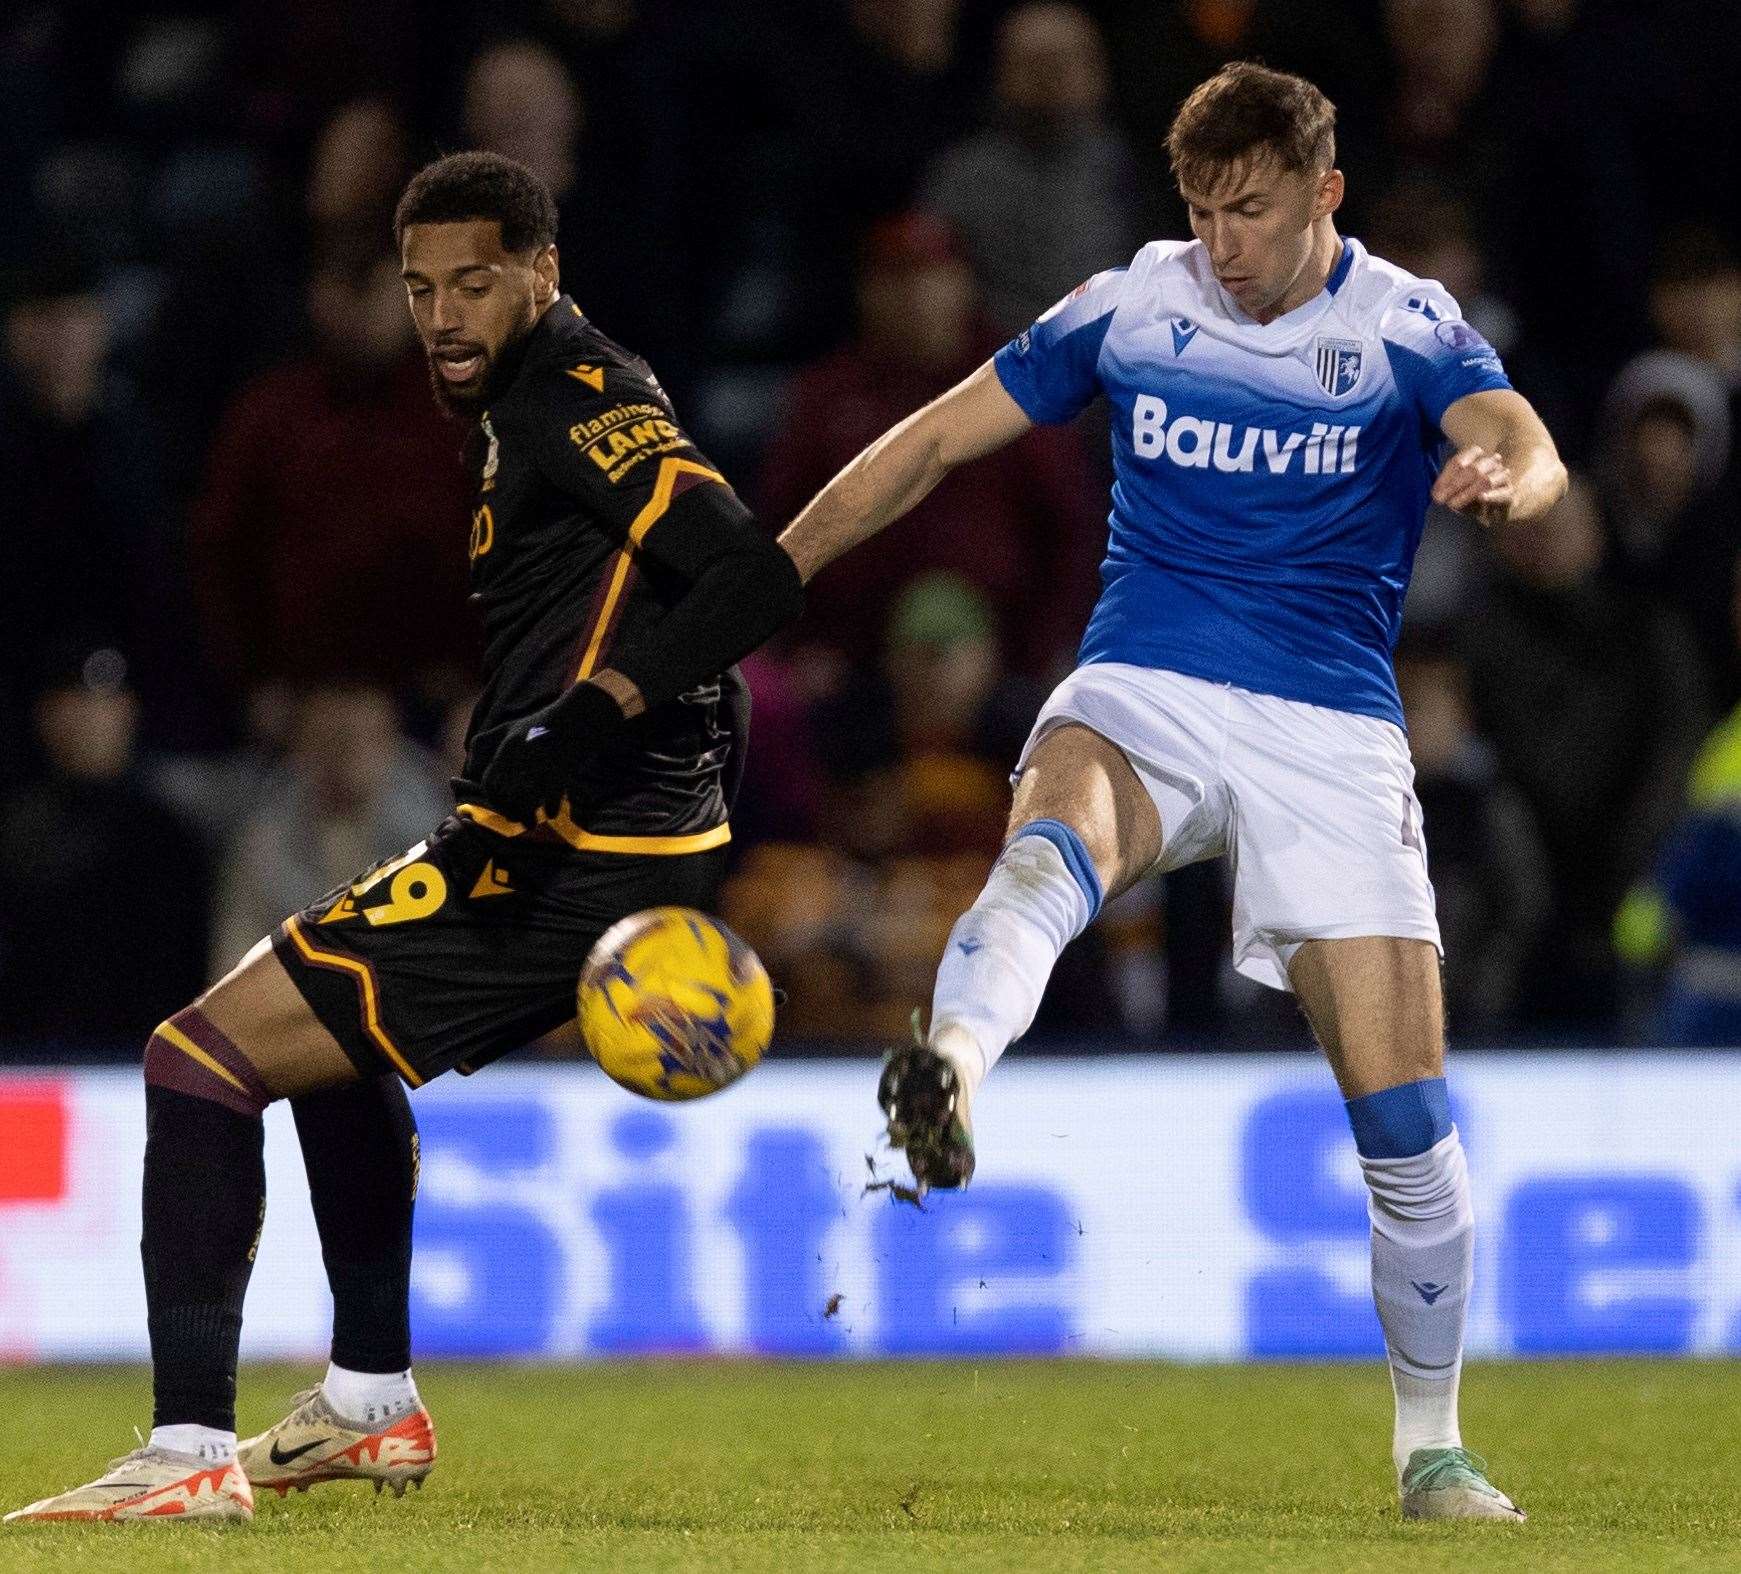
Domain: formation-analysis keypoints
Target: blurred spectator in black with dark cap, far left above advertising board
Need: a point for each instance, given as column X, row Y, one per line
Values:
column 104, row 892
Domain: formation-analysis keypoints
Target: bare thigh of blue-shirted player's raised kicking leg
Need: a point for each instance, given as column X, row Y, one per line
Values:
column 1082, row 779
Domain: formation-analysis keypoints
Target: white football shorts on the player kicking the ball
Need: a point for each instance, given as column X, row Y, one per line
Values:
column 1315, row 807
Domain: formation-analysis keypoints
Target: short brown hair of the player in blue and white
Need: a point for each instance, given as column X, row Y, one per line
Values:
column 1246, row 114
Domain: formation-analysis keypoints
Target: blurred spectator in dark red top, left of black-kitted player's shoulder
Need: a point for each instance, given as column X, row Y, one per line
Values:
column 330, row 537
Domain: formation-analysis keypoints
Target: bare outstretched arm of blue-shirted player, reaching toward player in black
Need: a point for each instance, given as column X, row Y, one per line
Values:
column 901, row 467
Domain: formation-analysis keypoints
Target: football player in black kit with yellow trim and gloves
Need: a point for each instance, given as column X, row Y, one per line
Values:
column 619, row 579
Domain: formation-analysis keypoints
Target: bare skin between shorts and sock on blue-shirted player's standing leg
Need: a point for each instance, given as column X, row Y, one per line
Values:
column 1376, row 1007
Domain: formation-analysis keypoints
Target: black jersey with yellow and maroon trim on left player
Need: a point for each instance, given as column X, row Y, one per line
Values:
column 575, row 461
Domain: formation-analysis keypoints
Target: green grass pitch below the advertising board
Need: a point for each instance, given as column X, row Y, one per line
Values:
column 915, row 1467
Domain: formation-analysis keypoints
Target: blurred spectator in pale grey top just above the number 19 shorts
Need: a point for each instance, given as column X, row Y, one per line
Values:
column 351, row 793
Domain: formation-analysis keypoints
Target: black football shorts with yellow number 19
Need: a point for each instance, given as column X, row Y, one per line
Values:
column 471, row 945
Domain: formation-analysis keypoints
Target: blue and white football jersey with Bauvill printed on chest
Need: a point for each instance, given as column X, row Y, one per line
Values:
column 1270, row 480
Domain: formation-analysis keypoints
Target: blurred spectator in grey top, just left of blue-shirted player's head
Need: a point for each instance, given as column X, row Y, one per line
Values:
column 1044, row 196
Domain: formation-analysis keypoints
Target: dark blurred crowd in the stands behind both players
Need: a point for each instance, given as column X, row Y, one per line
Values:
column 238, row 654
